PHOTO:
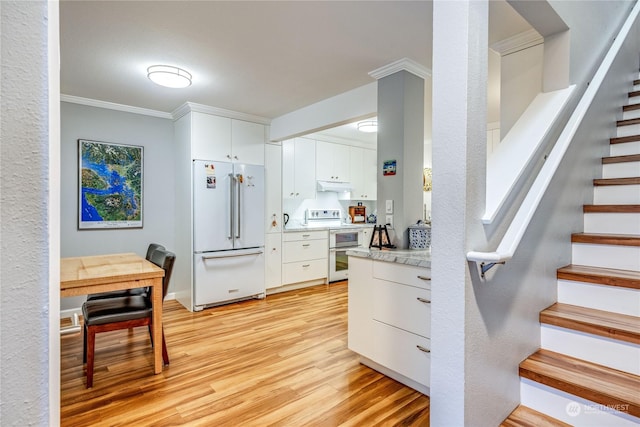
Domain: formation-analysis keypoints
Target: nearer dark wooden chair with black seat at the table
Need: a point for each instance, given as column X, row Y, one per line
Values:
column 110, row 314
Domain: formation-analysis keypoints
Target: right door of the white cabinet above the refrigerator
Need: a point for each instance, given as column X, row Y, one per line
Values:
column 247, row 142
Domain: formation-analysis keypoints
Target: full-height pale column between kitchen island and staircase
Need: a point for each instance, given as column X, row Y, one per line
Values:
column 460, row 52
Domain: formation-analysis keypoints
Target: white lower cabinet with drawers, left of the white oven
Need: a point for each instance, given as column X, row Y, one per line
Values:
column 304, row 256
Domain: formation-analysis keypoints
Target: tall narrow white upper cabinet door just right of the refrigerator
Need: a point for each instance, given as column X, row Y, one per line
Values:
column 273, row 185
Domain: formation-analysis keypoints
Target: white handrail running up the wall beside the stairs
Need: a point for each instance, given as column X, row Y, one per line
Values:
column 521, row 220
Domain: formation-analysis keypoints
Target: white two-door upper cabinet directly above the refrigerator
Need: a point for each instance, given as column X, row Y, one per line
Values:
column 226, row 140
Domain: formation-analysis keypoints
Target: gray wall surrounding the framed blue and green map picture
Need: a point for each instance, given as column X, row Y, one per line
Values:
column 156, row 136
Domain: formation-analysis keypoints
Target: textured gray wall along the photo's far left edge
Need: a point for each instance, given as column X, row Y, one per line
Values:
column 24, row 229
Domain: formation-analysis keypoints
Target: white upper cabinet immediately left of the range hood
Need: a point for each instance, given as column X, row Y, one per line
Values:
column 298, row 169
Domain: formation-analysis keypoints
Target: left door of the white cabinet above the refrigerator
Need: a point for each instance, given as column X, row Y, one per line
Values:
column 210, row 137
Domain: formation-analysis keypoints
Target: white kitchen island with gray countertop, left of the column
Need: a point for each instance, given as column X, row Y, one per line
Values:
column 390, row 313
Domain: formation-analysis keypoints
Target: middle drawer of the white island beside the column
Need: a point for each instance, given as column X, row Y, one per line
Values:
column 402, row 306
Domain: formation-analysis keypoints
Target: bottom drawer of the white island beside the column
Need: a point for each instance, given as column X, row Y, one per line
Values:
column 400, row 351
